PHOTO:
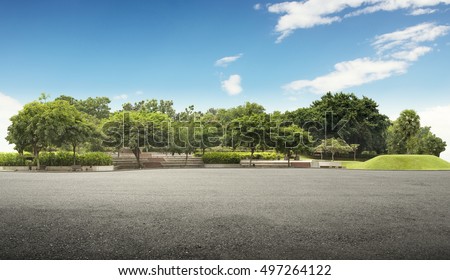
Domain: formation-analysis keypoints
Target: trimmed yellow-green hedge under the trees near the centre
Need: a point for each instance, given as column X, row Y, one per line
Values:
column 235, row 157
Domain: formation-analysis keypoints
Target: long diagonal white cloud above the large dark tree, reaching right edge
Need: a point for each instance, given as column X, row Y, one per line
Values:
column 398, row 50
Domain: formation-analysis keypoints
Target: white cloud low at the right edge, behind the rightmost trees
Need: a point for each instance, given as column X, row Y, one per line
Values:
column 437, row 118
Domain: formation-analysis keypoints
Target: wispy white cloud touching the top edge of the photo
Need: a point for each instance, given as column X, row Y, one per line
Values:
column 307, row 14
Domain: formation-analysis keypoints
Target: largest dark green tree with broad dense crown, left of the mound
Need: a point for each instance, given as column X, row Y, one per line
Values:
column 341, row 115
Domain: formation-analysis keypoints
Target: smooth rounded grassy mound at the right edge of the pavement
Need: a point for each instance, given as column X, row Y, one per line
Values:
column 401, row 162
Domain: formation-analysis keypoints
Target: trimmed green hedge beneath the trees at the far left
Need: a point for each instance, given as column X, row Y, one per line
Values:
column 57, row 159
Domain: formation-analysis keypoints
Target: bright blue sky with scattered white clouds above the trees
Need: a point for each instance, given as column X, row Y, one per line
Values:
column 282, row 55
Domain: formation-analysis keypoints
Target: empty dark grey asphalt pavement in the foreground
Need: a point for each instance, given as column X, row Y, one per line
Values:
column 225, row 214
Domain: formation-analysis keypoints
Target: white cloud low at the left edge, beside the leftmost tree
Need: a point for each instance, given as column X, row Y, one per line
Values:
column 8, row 108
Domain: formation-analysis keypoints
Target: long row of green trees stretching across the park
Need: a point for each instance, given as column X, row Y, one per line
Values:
column 336, row 124
